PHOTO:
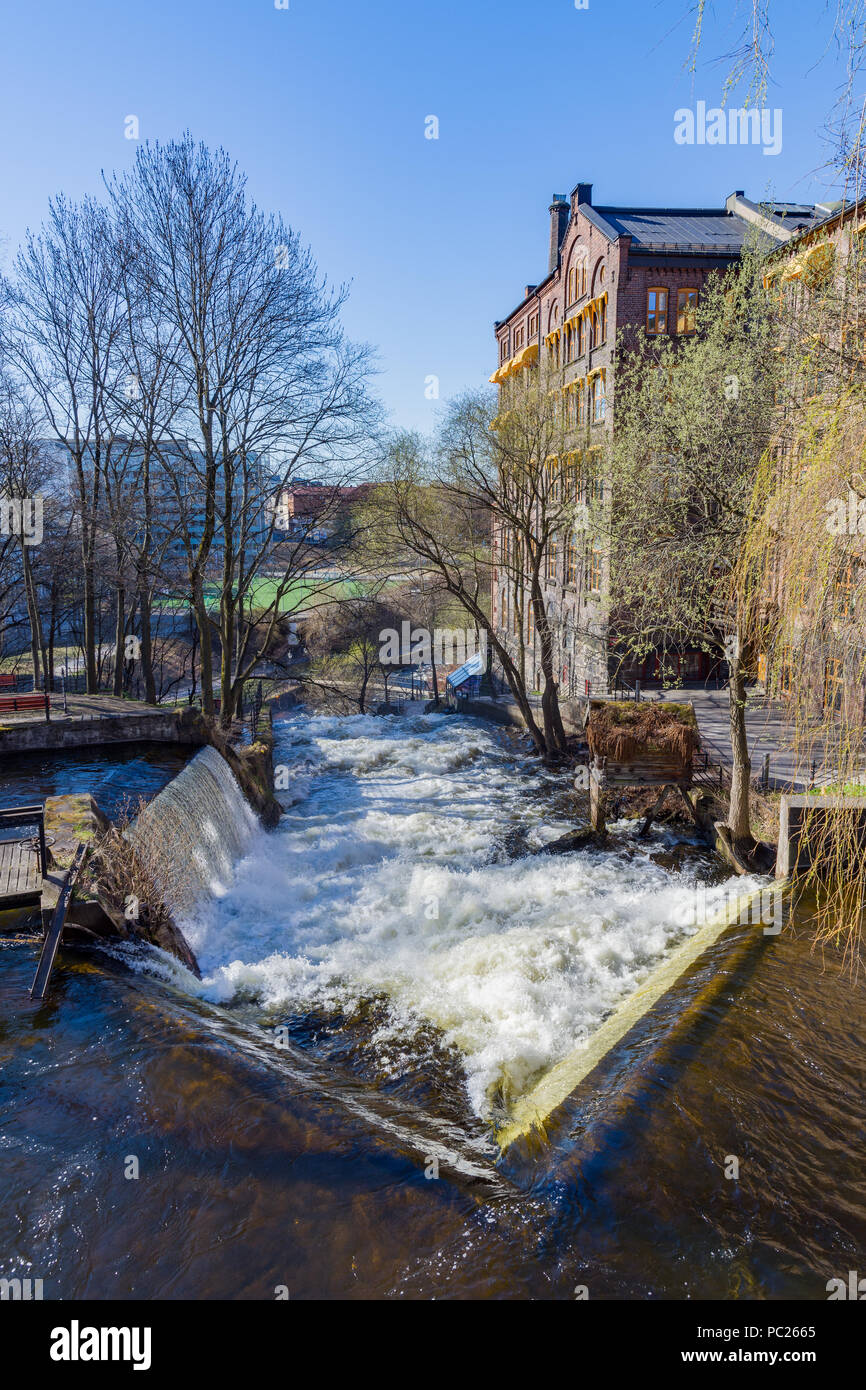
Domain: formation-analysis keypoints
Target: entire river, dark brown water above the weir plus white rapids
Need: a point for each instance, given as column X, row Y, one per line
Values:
column 387, row 971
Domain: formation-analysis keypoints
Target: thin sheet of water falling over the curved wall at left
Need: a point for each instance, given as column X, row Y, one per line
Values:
column 194, row 832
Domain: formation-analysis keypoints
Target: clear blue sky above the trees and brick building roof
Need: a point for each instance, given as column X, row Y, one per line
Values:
column 325, row 106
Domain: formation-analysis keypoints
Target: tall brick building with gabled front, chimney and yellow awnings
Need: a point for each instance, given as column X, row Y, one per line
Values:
column 612, row 269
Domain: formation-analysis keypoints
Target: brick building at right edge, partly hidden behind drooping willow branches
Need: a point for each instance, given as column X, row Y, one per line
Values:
column 825, row 259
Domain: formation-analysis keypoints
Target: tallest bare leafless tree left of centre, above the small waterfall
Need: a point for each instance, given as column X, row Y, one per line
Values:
column 266, row 382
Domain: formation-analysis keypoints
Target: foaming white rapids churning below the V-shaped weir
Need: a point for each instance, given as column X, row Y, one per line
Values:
column 390, row 878
